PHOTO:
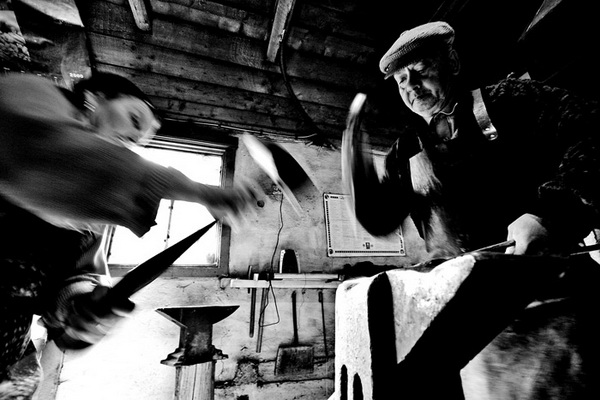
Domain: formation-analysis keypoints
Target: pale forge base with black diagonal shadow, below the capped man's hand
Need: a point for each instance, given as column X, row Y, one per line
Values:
column 408, row 334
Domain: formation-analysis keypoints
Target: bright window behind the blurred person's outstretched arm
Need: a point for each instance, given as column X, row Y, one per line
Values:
column 175, row 220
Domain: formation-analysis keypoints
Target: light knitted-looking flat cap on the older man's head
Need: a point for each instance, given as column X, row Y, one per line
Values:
column 411, row 42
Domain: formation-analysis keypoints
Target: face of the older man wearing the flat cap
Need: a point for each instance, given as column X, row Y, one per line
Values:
column 423, row 86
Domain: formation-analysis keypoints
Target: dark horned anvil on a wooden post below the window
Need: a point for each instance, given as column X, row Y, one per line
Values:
column 195, row 345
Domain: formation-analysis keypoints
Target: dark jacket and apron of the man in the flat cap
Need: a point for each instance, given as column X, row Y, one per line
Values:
column 462, row 194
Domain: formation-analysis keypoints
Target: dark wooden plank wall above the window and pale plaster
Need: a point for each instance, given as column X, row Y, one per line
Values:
column 197, row 69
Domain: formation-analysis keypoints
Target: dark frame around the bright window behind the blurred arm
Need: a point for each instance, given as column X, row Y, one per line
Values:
column 218, row 144
